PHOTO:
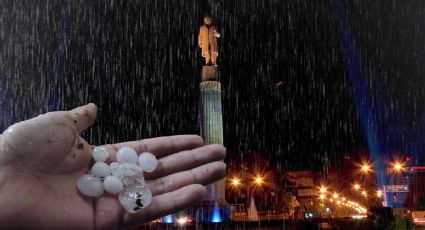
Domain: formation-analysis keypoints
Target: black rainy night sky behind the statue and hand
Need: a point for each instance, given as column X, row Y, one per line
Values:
column 139, row 62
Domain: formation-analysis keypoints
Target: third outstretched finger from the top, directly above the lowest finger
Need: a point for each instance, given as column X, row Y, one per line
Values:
column 205, row 174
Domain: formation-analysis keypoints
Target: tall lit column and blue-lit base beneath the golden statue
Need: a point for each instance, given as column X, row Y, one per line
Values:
column 214, row 208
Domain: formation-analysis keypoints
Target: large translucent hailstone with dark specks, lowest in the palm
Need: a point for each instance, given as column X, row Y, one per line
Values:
column 135, row 197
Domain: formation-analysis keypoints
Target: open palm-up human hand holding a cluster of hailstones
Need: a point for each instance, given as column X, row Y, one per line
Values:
column 41, row 160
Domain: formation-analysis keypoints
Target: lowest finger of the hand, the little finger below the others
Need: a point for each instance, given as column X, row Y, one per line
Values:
column 167, row 203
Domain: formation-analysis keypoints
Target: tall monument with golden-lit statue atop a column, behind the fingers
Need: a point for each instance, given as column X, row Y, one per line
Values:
column 214, row 207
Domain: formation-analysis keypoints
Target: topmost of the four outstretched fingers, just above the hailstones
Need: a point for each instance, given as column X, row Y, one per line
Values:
column 160, row 146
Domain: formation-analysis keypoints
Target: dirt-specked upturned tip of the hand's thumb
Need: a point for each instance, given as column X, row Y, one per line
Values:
column 83, row 116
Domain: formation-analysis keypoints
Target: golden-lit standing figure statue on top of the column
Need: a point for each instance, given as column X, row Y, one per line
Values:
column 207, row 40
